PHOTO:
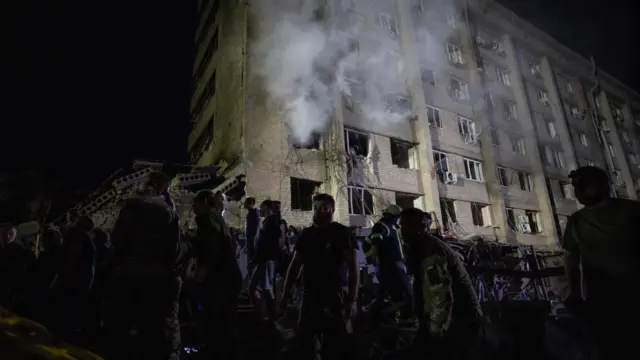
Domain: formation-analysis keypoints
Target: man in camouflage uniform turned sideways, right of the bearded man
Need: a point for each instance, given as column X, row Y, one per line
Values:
column 447, row 306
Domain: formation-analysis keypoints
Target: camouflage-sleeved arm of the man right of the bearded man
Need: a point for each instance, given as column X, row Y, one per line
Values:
column 439, row 282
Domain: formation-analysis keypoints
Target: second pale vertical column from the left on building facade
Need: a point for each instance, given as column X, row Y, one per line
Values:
column 481, row 115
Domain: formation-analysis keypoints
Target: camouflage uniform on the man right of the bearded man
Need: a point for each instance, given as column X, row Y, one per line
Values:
column 446, row 304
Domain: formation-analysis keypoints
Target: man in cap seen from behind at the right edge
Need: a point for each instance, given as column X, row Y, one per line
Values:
column 602, row 252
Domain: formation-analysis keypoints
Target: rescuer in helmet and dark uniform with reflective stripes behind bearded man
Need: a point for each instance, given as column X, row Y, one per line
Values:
column 386, row 253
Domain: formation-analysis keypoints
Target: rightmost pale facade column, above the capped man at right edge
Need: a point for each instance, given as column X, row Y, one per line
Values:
column 613, row 138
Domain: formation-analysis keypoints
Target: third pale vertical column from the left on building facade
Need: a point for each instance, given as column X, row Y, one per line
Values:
column 531, row 142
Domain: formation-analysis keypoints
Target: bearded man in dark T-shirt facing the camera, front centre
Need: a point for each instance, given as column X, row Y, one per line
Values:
column 328, row 252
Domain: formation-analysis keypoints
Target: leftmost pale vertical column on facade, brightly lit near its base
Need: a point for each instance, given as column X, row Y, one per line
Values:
column 420, row 123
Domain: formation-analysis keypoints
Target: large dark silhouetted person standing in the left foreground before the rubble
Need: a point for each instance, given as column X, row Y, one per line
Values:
column 144, row 284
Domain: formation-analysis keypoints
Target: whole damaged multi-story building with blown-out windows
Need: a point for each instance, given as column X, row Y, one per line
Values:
column 499, row 121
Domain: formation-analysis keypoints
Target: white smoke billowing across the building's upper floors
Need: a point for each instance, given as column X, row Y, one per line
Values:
column 304, row 62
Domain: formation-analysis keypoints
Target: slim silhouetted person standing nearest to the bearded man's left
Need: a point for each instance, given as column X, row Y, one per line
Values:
column 261, row 286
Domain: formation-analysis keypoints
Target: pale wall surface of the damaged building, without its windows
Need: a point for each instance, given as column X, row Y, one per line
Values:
column 251, row 125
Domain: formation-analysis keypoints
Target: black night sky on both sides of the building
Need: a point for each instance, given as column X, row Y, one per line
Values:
column 87, row 89
